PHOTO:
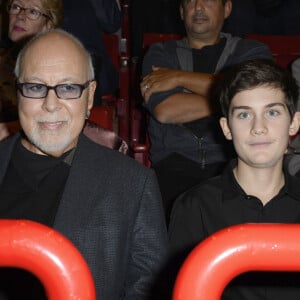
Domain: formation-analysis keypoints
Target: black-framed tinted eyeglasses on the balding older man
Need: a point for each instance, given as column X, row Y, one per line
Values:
column 65, row 91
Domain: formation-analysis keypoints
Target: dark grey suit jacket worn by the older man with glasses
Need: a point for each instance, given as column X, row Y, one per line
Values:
column 111, row 210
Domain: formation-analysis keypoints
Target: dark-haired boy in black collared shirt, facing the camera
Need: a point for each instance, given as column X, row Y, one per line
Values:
column 258, row 102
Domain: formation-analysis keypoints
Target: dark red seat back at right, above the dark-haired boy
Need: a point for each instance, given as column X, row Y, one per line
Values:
column 285, row 48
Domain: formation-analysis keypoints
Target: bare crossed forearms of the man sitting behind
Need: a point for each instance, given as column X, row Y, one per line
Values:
column 178, row 107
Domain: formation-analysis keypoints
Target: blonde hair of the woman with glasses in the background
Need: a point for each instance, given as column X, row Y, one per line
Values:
column 53, row 9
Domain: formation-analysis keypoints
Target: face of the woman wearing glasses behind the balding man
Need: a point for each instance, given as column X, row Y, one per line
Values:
column 26, row 18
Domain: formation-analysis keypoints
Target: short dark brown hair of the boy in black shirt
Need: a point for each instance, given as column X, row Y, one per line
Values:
column 245, row 76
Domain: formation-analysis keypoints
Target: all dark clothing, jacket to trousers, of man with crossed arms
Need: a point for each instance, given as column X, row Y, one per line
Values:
column 185, row 154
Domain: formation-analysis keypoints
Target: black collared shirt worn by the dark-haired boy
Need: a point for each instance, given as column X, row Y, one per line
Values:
column 220, row 202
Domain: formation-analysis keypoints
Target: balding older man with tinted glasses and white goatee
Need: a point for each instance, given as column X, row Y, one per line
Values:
column 107, row 204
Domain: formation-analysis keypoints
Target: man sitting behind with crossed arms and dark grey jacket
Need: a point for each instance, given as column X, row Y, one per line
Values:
column 187, row 145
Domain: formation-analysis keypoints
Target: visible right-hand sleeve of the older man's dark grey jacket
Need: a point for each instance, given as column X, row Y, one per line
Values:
column 149, row 245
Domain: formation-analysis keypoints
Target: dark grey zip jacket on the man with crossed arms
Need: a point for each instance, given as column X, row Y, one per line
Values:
column 168, row 138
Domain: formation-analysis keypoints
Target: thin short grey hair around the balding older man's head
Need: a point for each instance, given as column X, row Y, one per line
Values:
column 91, row 72
